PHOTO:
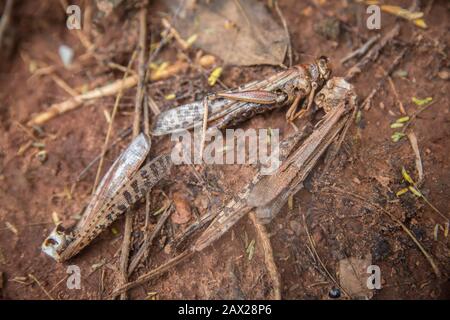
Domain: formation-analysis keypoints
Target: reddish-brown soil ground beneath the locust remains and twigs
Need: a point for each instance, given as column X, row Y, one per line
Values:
column 369, row 165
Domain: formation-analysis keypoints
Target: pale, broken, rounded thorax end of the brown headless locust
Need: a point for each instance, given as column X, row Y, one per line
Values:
column 334, row 92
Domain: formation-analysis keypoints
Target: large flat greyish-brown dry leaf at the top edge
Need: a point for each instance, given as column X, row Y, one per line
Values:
column 239, row 32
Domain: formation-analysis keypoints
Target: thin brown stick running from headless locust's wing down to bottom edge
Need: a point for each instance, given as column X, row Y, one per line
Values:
column 268, row 256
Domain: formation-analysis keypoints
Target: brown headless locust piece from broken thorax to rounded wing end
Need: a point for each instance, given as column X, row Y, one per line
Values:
column 338, row 100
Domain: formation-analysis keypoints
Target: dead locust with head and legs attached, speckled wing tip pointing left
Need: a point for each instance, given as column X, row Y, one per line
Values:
column 231, row 107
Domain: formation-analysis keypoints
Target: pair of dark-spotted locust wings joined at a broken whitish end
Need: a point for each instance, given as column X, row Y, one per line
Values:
column 122, row 186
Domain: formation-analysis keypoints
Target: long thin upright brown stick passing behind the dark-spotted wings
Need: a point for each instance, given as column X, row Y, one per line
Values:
column 125, row 253
